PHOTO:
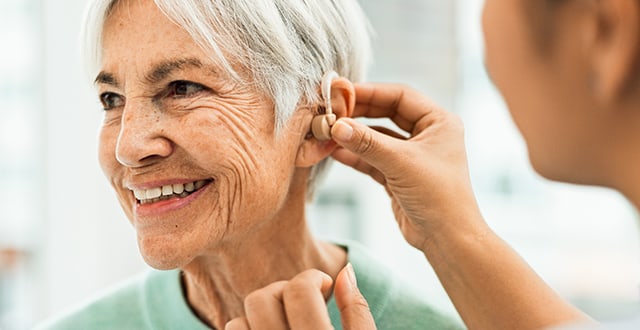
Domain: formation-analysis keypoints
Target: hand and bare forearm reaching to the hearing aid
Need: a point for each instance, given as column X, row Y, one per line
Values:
column 427, row 177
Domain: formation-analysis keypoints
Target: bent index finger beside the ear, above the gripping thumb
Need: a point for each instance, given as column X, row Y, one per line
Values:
column 402, row 104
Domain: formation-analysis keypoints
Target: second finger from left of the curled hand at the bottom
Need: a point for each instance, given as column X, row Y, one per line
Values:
column 264, row 308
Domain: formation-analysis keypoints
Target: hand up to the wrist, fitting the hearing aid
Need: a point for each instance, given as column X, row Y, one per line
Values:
column 424, row 171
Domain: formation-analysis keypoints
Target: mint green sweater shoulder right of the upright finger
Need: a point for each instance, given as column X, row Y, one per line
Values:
column 394, row 303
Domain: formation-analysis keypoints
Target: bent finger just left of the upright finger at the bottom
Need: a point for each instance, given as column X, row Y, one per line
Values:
column 305, row 301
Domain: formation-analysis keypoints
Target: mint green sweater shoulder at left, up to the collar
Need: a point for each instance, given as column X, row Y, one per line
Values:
column 120, row 306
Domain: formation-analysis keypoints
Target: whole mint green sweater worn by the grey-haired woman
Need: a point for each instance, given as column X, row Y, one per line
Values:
column 155, row 300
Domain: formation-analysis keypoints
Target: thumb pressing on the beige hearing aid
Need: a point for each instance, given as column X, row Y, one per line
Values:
column 372, row 146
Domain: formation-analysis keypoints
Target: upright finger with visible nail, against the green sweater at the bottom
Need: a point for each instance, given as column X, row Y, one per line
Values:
column 354, row 309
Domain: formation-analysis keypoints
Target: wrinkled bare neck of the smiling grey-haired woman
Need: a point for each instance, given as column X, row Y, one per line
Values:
column 216, row 285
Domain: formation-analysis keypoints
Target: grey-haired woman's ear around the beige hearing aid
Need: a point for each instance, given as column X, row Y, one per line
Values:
column 343, row 99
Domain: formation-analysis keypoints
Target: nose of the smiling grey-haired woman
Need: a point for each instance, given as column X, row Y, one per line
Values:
column 142, row 140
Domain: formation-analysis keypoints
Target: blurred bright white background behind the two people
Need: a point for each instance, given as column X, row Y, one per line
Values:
column 63, row 237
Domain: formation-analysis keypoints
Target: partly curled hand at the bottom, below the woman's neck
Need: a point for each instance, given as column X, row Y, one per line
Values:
column 300, row 303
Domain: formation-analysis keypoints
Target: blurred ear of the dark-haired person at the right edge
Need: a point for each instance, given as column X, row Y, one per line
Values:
column 616, row 48
